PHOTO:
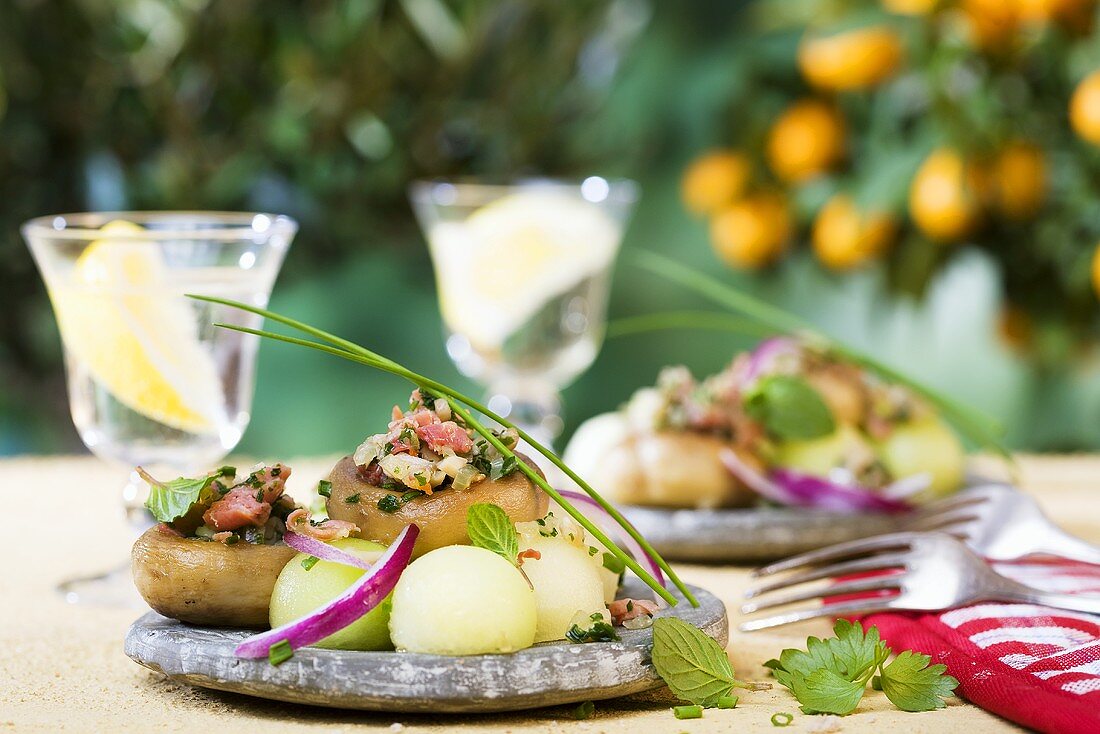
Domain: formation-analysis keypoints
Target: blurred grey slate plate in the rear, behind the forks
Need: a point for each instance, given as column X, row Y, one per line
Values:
column 752, row 534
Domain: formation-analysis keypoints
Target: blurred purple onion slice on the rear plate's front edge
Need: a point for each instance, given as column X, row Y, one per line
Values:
column 795, row 489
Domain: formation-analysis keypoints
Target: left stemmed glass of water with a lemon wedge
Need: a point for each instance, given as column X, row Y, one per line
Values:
column 151, row 381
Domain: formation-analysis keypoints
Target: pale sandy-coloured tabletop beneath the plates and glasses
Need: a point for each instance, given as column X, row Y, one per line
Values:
column 62, row 666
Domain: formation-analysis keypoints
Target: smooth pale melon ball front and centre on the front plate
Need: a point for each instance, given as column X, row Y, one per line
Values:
column 463, row 600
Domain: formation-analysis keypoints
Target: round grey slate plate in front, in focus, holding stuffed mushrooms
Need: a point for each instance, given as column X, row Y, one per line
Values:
column 406, row 683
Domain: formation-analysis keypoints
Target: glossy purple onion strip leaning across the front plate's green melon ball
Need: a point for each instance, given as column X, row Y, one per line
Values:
column 359, row 599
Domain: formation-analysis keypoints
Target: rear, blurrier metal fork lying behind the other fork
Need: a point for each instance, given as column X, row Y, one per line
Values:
column 1000, row 523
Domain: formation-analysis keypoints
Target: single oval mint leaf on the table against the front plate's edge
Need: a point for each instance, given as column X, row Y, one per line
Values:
column 694, row 666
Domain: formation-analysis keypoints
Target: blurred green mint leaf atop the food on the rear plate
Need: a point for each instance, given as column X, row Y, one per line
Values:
column 789, row 409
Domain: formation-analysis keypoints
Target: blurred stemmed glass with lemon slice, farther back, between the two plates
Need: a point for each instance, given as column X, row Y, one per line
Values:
column 523, row 272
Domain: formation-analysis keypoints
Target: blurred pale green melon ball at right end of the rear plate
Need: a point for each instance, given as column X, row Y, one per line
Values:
column 926, row 446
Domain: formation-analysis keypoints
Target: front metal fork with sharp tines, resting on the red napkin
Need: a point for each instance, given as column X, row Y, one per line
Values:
column 920, row 572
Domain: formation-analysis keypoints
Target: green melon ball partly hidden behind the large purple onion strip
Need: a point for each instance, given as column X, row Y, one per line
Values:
column 300, row 591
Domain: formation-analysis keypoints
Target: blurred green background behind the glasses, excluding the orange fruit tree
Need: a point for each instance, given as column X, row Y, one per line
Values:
column 326, row 111
